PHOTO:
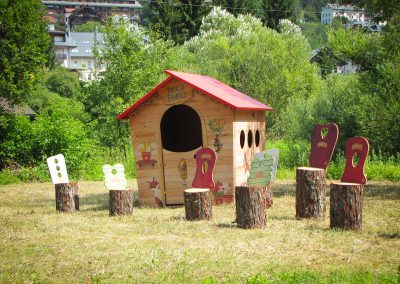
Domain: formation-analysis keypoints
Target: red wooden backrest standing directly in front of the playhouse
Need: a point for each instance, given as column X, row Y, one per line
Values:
column 205, row 163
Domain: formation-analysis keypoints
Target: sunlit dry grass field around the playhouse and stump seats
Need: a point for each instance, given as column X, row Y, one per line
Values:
column 39, row 245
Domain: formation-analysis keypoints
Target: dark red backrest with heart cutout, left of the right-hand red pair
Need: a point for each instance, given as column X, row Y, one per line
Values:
column 322, row 146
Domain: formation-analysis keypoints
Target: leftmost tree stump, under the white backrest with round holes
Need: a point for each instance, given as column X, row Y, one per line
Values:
column 67, row 197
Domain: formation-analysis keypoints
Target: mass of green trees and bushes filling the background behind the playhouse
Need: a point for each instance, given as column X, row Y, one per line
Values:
column 246, row 44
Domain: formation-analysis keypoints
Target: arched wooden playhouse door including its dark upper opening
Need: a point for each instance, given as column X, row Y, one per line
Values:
column 181, row 137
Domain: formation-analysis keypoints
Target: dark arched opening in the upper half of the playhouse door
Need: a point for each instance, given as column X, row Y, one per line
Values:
column 181, row 129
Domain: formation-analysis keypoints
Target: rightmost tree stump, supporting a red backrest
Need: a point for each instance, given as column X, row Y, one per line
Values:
column 346, row 205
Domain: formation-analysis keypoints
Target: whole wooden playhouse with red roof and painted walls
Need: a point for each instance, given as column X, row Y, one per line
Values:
column 179, row 116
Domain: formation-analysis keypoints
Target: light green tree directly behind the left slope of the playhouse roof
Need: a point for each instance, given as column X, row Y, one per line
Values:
column 135, row 63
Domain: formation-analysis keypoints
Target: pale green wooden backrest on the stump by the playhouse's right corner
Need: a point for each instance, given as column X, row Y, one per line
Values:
column 261, row 170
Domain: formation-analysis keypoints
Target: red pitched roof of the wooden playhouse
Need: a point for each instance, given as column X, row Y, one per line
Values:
column 207, row 85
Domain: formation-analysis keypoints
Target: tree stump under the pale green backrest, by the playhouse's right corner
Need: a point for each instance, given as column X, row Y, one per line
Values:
column 251, row 206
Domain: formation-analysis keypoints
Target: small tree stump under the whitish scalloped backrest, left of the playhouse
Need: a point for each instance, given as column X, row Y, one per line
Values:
column 121, row 202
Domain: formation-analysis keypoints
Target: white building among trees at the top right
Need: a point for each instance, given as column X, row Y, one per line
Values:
column 330, row 11
